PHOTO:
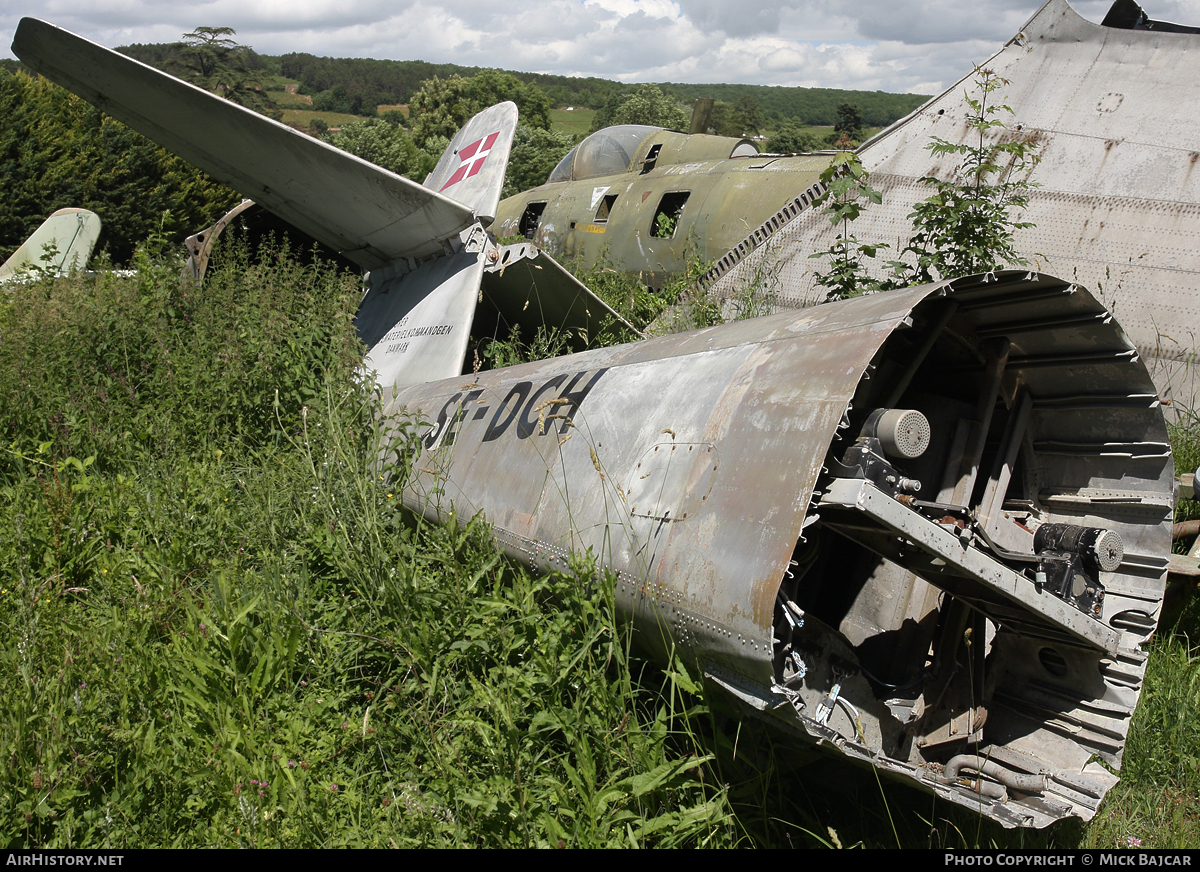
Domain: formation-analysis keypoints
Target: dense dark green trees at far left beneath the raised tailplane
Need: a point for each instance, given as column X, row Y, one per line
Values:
column 58, row 152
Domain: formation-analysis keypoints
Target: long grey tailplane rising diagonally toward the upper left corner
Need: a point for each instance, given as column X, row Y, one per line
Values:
column 369, row 214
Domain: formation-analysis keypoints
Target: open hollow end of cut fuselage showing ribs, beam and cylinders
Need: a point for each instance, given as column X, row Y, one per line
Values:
column 987, row 557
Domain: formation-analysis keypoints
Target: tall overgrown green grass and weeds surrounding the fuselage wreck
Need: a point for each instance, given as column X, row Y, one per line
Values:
column 220, row 629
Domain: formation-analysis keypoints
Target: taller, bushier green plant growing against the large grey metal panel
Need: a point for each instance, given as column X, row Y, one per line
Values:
column 970, row 222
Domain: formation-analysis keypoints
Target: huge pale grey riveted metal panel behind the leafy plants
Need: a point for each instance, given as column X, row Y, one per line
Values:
column 1119, row 201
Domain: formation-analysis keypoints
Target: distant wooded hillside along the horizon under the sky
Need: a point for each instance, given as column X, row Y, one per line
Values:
column 370, row 83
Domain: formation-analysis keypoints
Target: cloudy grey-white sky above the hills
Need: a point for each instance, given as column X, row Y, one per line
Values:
column 886, row 45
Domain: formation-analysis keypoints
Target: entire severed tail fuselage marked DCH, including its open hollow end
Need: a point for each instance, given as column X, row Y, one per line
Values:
column 903, row 611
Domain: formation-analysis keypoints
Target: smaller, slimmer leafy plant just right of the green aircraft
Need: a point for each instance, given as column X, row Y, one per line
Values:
column 847, row 189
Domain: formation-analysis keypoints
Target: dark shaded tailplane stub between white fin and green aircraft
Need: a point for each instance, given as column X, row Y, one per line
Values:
column 527, row 287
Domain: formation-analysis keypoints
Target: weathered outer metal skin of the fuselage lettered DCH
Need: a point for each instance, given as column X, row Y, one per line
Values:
column 776, row 389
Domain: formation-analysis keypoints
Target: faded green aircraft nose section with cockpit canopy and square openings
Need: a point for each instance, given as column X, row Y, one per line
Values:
column 647, row 199
